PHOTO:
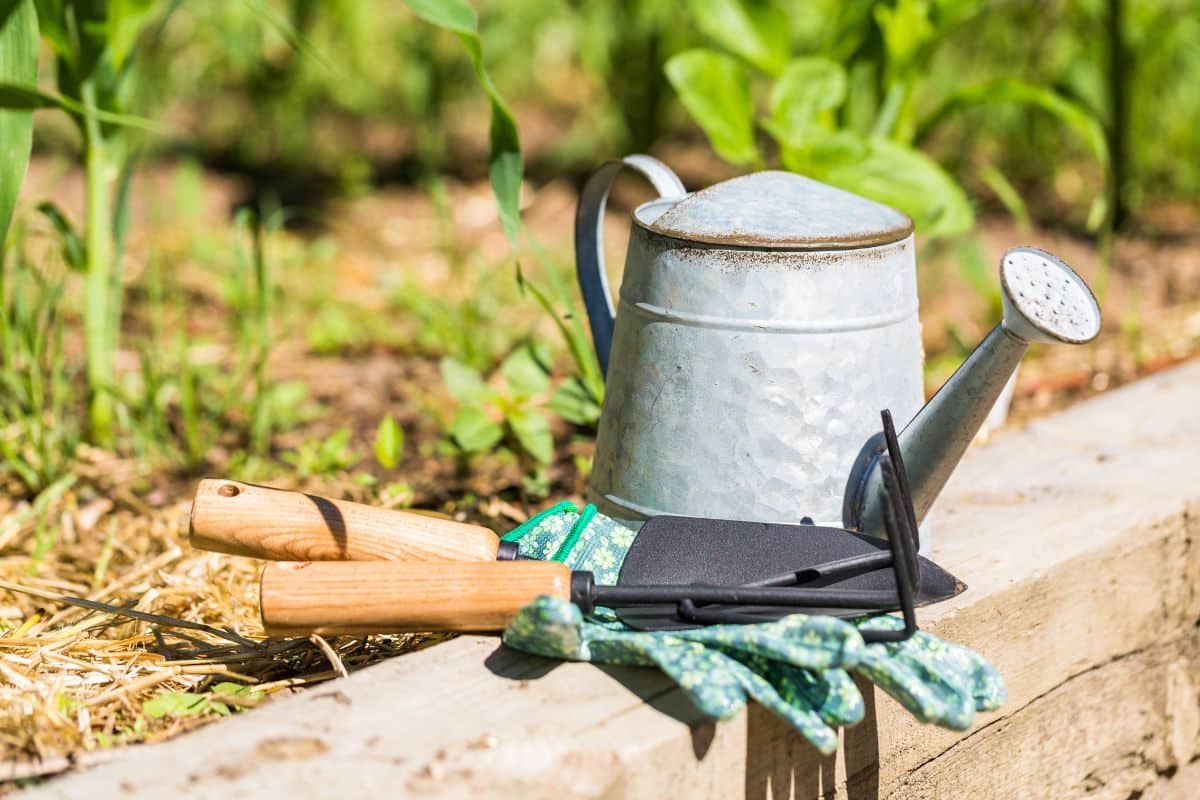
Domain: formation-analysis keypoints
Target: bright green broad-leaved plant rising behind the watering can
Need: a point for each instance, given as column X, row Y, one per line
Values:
column 848, row 109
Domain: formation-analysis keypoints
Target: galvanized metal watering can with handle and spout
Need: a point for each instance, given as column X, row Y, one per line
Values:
column 763, row 324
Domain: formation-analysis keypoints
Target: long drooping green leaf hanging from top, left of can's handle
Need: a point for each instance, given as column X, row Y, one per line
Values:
column 506, row 165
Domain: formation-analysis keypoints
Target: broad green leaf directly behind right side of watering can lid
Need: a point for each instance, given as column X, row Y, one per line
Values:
column 892, row 173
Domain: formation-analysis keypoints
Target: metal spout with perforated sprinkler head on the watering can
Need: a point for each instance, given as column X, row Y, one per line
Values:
column 1045, row 302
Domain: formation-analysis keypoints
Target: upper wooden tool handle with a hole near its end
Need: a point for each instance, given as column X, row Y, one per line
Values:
column 261, row 522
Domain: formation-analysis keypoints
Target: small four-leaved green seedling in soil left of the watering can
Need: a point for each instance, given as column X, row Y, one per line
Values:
column 512, row 413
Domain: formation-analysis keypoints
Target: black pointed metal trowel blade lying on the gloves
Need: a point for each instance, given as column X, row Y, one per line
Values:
column 733, row 554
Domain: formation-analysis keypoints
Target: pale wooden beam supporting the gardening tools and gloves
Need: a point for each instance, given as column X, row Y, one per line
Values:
column 1075, row 534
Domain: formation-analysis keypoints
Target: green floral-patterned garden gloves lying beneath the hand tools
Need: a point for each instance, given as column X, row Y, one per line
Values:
column 795, row 666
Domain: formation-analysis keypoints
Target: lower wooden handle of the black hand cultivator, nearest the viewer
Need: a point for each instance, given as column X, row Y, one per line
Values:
column 392, row 598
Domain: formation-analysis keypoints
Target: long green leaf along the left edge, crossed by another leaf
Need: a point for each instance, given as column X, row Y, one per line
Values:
column 19, row 65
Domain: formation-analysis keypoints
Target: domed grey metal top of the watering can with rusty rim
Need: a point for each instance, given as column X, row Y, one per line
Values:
column 782, row 210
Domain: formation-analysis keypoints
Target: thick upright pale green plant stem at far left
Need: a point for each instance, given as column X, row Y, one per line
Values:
column 99, row 335
